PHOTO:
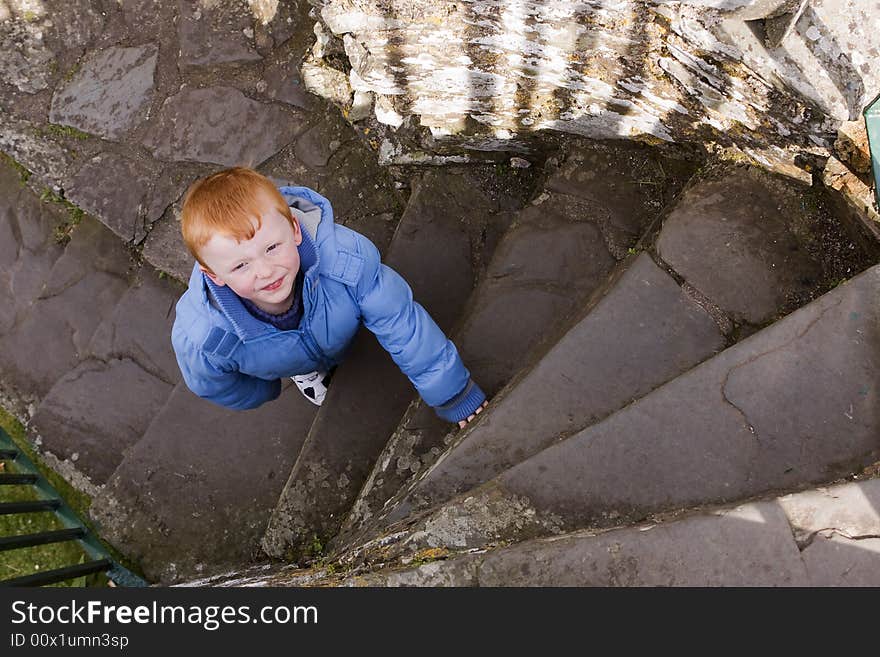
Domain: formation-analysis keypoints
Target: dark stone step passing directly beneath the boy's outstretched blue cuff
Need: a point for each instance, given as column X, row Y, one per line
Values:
column 559, row 251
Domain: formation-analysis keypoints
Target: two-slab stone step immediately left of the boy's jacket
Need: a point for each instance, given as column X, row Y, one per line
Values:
column 104, row 405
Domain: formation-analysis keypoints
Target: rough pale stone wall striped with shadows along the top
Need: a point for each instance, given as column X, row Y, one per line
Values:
column 775, row 77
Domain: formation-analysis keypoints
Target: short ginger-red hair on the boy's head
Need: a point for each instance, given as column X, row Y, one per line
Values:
column 228, row 203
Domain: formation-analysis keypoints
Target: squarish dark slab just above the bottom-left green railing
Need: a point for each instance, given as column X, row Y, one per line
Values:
column 94, row 413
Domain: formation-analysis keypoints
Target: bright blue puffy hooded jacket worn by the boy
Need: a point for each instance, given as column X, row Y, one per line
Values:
column 231, row 358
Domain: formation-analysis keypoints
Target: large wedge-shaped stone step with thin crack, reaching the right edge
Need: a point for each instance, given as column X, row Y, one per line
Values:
column 732, row 428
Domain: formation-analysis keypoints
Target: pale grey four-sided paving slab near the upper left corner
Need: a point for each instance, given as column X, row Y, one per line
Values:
column 110, row 94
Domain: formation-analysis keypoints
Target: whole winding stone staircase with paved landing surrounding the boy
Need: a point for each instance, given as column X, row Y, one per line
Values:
column 681, row 348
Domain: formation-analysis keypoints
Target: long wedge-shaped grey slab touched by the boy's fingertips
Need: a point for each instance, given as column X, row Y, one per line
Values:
column 642, row 333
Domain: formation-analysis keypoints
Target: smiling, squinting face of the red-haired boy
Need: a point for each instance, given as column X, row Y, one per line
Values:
column 262, row 269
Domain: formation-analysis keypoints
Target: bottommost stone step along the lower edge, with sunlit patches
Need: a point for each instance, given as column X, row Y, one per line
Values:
column 824, row 537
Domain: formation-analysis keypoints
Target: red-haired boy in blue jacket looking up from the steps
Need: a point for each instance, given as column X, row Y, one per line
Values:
column 279, row 290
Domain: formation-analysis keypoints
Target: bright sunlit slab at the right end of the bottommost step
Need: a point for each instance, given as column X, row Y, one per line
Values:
column 851, row 510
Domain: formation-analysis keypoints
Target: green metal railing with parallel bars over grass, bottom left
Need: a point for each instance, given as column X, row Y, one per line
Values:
column 49, row 501
